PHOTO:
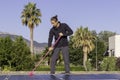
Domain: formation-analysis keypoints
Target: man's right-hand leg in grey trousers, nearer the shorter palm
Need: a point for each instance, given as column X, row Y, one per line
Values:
column 65, row 52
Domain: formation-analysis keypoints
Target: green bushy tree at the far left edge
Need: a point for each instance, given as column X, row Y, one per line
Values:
column 5, row 52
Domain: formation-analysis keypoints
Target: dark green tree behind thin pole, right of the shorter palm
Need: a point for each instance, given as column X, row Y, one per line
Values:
column 101, row 48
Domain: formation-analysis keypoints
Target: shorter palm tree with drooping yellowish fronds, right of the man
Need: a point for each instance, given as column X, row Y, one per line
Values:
column 83, row 38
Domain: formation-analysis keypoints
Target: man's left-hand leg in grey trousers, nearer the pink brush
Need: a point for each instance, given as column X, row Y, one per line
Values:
column 54, row 57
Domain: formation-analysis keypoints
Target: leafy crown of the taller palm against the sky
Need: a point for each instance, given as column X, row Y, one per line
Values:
column 31, row 15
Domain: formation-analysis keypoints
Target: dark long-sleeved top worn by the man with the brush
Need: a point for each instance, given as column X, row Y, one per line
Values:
column 54, row 32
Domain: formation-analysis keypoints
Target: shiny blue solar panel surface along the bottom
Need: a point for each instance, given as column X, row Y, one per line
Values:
column 62, row 77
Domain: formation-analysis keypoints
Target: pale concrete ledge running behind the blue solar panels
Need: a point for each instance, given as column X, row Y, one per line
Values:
column 57, row 72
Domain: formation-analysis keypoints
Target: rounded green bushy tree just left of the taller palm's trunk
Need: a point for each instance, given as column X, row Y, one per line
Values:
column 21, row 55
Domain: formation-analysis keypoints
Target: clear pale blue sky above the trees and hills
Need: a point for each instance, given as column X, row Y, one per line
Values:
column 98, row 15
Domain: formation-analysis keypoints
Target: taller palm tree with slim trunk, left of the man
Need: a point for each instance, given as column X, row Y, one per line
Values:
column 31, row 18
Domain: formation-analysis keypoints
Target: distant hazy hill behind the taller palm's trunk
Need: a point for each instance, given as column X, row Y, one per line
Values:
column 38, row 47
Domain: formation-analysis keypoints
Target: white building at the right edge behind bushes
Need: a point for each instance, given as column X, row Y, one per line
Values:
column 114, row 46
